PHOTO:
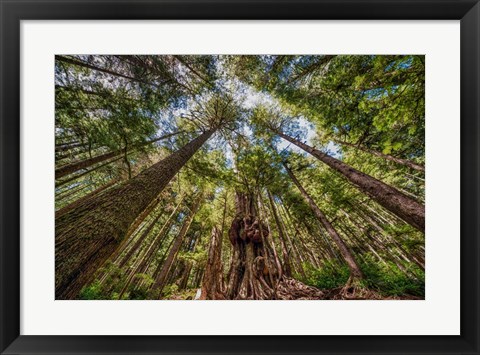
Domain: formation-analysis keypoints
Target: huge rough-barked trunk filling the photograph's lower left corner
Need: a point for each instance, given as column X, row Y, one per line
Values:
column 87, row 235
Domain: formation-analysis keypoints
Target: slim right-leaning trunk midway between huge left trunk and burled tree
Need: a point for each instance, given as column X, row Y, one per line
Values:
column 160, row 280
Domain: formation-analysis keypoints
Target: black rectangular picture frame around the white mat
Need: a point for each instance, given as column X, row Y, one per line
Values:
column 14, row 11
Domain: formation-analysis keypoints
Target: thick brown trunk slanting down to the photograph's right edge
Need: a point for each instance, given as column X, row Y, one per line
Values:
column 387, row 196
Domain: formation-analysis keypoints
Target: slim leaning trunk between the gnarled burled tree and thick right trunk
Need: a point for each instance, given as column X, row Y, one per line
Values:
column 355, row 272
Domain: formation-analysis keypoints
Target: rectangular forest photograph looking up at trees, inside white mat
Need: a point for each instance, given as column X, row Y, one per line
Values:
column 239, row 177
